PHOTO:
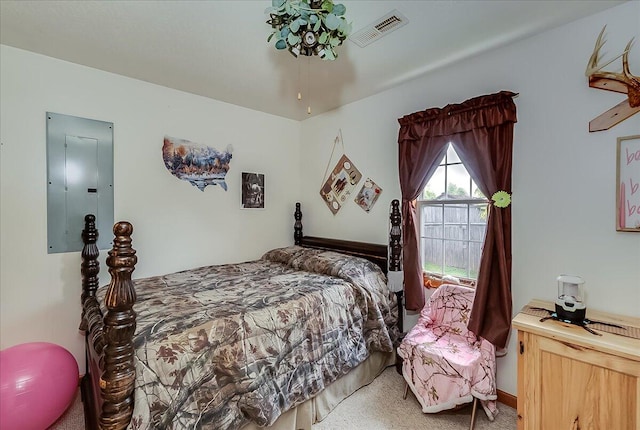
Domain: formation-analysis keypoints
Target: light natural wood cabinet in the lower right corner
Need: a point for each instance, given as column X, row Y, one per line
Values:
column 570, row 379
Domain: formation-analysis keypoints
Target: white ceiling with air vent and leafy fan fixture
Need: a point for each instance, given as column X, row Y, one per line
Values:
column 218, row 49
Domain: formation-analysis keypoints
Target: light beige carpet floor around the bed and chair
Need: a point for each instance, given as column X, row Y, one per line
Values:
column 378, row 406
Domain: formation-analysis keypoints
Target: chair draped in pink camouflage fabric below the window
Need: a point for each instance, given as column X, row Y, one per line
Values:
column 444, row 363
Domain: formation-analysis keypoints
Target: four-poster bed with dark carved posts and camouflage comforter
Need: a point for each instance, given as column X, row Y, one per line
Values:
column 273, row 343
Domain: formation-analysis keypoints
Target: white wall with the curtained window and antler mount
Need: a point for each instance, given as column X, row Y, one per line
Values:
column 563, row 176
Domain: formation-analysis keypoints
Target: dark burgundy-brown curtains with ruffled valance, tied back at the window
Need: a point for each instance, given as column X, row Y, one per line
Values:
column 481, row 131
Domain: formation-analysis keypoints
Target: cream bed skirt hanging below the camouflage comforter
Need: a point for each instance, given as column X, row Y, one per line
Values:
column 316, row 409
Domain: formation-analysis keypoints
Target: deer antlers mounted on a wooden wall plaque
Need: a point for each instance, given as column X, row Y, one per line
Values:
column 623, row 82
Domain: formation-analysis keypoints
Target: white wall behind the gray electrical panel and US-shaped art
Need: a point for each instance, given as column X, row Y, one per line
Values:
column 176, row 226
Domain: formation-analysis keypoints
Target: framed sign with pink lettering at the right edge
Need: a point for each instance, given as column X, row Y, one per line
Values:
column 628, row 183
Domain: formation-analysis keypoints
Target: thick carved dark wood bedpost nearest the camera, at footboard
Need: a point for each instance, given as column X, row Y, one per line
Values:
column 117, row 381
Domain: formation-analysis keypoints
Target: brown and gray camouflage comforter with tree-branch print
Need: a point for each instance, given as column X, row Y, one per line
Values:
column 219, row 346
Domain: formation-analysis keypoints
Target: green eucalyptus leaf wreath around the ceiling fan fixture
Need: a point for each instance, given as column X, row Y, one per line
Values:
column 308, row 27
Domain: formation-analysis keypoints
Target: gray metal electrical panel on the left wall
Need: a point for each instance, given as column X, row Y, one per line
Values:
column 79, row 180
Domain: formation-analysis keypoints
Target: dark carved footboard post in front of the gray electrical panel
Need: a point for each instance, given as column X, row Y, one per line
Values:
column 90, row 267
